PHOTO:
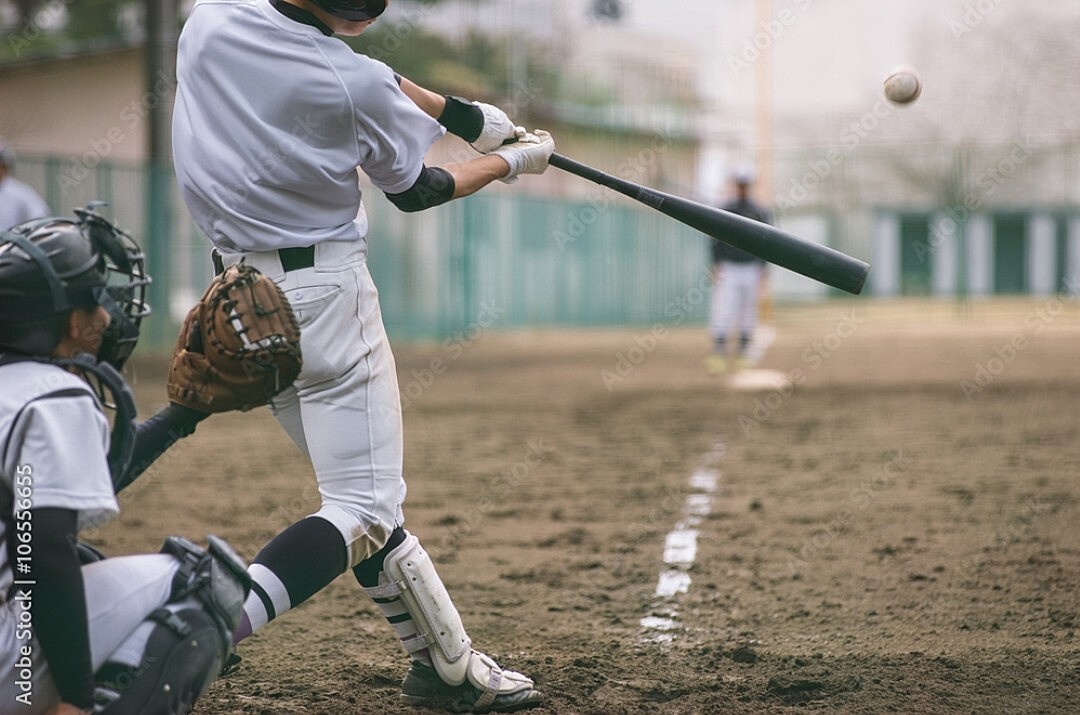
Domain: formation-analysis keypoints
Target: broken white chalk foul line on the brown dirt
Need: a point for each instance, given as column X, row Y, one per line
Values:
column 681, row 550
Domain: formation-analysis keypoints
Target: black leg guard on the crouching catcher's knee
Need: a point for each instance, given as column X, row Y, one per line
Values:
column 183, row 644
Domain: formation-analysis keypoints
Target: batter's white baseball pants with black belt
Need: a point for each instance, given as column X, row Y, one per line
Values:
column 344, row 412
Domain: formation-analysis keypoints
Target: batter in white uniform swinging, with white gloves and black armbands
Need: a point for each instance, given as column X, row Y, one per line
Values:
column 274, row 116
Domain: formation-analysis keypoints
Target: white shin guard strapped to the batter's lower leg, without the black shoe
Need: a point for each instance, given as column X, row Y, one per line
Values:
column 414, row 581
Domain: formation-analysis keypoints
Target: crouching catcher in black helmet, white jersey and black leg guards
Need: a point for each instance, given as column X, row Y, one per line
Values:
column 113, row 633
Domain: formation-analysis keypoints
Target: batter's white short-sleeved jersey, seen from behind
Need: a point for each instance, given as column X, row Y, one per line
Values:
column 265, row 170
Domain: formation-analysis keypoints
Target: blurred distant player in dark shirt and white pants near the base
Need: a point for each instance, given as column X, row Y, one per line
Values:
column 739, row 281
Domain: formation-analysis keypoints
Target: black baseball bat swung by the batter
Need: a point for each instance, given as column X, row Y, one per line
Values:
column 814, row 261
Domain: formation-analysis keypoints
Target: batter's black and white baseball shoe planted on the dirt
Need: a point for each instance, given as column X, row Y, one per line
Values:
column 424, row 689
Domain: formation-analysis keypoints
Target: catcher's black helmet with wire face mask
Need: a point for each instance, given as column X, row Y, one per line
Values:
column 52, row 266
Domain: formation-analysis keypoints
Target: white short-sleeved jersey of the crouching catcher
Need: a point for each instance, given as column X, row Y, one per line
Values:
column 53, row 444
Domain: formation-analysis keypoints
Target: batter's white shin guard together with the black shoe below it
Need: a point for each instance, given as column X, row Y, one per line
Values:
column 411, row 577
